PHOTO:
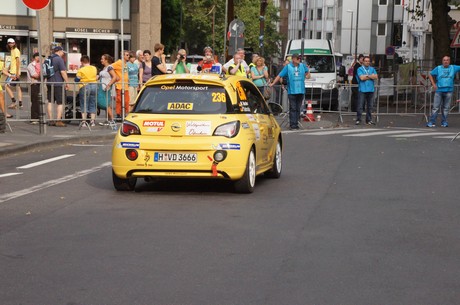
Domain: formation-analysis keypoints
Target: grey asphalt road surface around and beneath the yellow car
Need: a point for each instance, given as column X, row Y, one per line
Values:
column 354, row 219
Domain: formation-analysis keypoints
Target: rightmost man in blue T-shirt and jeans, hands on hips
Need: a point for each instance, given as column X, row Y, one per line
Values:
column 444, row 86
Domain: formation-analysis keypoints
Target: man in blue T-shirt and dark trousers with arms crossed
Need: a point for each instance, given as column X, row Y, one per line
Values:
column 366, row 77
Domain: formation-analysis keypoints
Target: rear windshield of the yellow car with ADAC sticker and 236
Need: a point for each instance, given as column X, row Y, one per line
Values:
column 183, row 99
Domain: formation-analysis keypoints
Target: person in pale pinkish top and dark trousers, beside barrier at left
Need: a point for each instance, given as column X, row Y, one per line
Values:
column 33, row 78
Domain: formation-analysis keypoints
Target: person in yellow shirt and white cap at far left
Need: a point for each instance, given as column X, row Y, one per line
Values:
column 13, row 73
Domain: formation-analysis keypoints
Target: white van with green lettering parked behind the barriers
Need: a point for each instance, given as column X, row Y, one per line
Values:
column 319, row 56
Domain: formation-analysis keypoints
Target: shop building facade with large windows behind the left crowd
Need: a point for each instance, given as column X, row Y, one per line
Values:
column 81, row 27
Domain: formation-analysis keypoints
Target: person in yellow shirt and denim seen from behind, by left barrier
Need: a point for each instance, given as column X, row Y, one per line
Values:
column 87, row 77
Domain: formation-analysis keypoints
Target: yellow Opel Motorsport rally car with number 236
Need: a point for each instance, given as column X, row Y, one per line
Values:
column 198, row 126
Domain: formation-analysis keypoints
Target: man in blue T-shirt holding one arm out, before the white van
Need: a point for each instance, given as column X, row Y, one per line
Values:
column 296, row 72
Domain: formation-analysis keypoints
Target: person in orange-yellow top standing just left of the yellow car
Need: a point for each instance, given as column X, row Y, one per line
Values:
column 117, row 67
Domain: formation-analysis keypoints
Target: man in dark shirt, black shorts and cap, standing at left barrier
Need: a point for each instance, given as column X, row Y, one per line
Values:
column 56, row 86
